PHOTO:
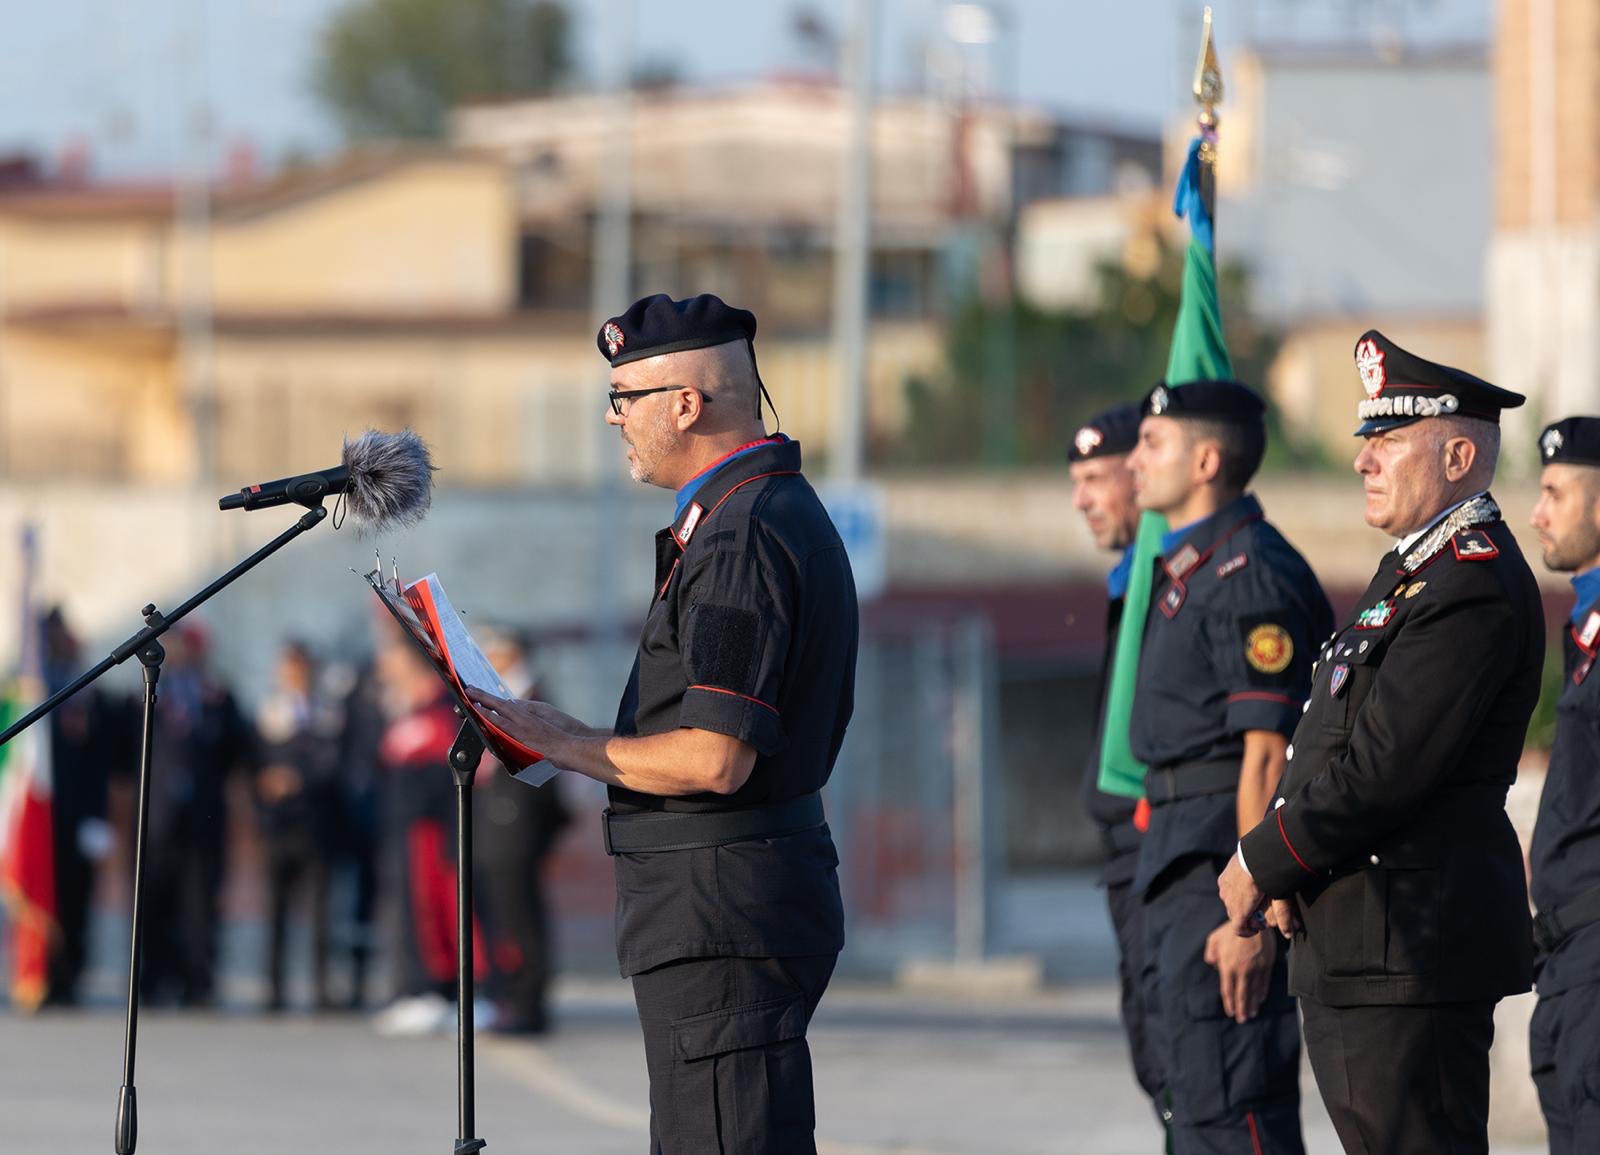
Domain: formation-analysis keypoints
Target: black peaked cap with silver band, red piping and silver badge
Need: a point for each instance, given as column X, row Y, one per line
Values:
column 1404, row 388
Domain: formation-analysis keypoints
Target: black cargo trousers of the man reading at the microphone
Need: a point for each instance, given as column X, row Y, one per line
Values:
column 730, row 1071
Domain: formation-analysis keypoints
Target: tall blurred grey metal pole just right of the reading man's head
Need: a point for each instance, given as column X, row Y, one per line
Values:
column 852, row 255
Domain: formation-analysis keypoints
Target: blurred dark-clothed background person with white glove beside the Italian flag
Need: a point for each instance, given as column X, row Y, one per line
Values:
column 89, row 737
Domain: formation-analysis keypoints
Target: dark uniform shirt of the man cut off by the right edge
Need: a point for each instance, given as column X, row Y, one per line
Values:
column 1566, row 855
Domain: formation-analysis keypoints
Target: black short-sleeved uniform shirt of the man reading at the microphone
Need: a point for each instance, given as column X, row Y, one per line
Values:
column 753, row 633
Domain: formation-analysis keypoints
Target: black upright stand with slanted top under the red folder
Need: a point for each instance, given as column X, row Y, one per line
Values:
column 465, row 756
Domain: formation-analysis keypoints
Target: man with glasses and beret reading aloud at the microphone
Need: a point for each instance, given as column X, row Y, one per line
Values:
column 729, row 914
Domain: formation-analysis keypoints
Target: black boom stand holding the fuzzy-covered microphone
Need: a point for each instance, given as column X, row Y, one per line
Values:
column 151, row 655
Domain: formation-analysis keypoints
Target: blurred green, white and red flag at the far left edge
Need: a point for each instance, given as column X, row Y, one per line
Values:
column 28, row 877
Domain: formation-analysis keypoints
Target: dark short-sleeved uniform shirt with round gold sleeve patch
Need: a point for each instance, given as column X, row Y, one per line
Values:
column 1236, row 615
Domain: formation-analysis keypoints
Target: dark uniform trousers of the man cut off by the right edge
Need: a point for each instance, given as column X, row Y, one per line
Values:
column 1566, row 1049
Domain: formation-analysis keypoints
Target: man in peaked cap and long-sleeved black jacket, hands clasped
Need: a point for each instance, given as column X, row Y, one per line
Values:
column 1410, row 913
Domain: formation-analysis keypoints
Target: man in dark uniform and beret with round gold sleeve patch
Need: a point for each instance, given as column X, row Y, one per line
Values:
column 1223, row 673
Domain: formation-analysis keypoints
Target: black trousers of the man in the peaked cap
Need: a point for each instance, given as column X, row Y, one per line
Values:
column 1430, row 1095
